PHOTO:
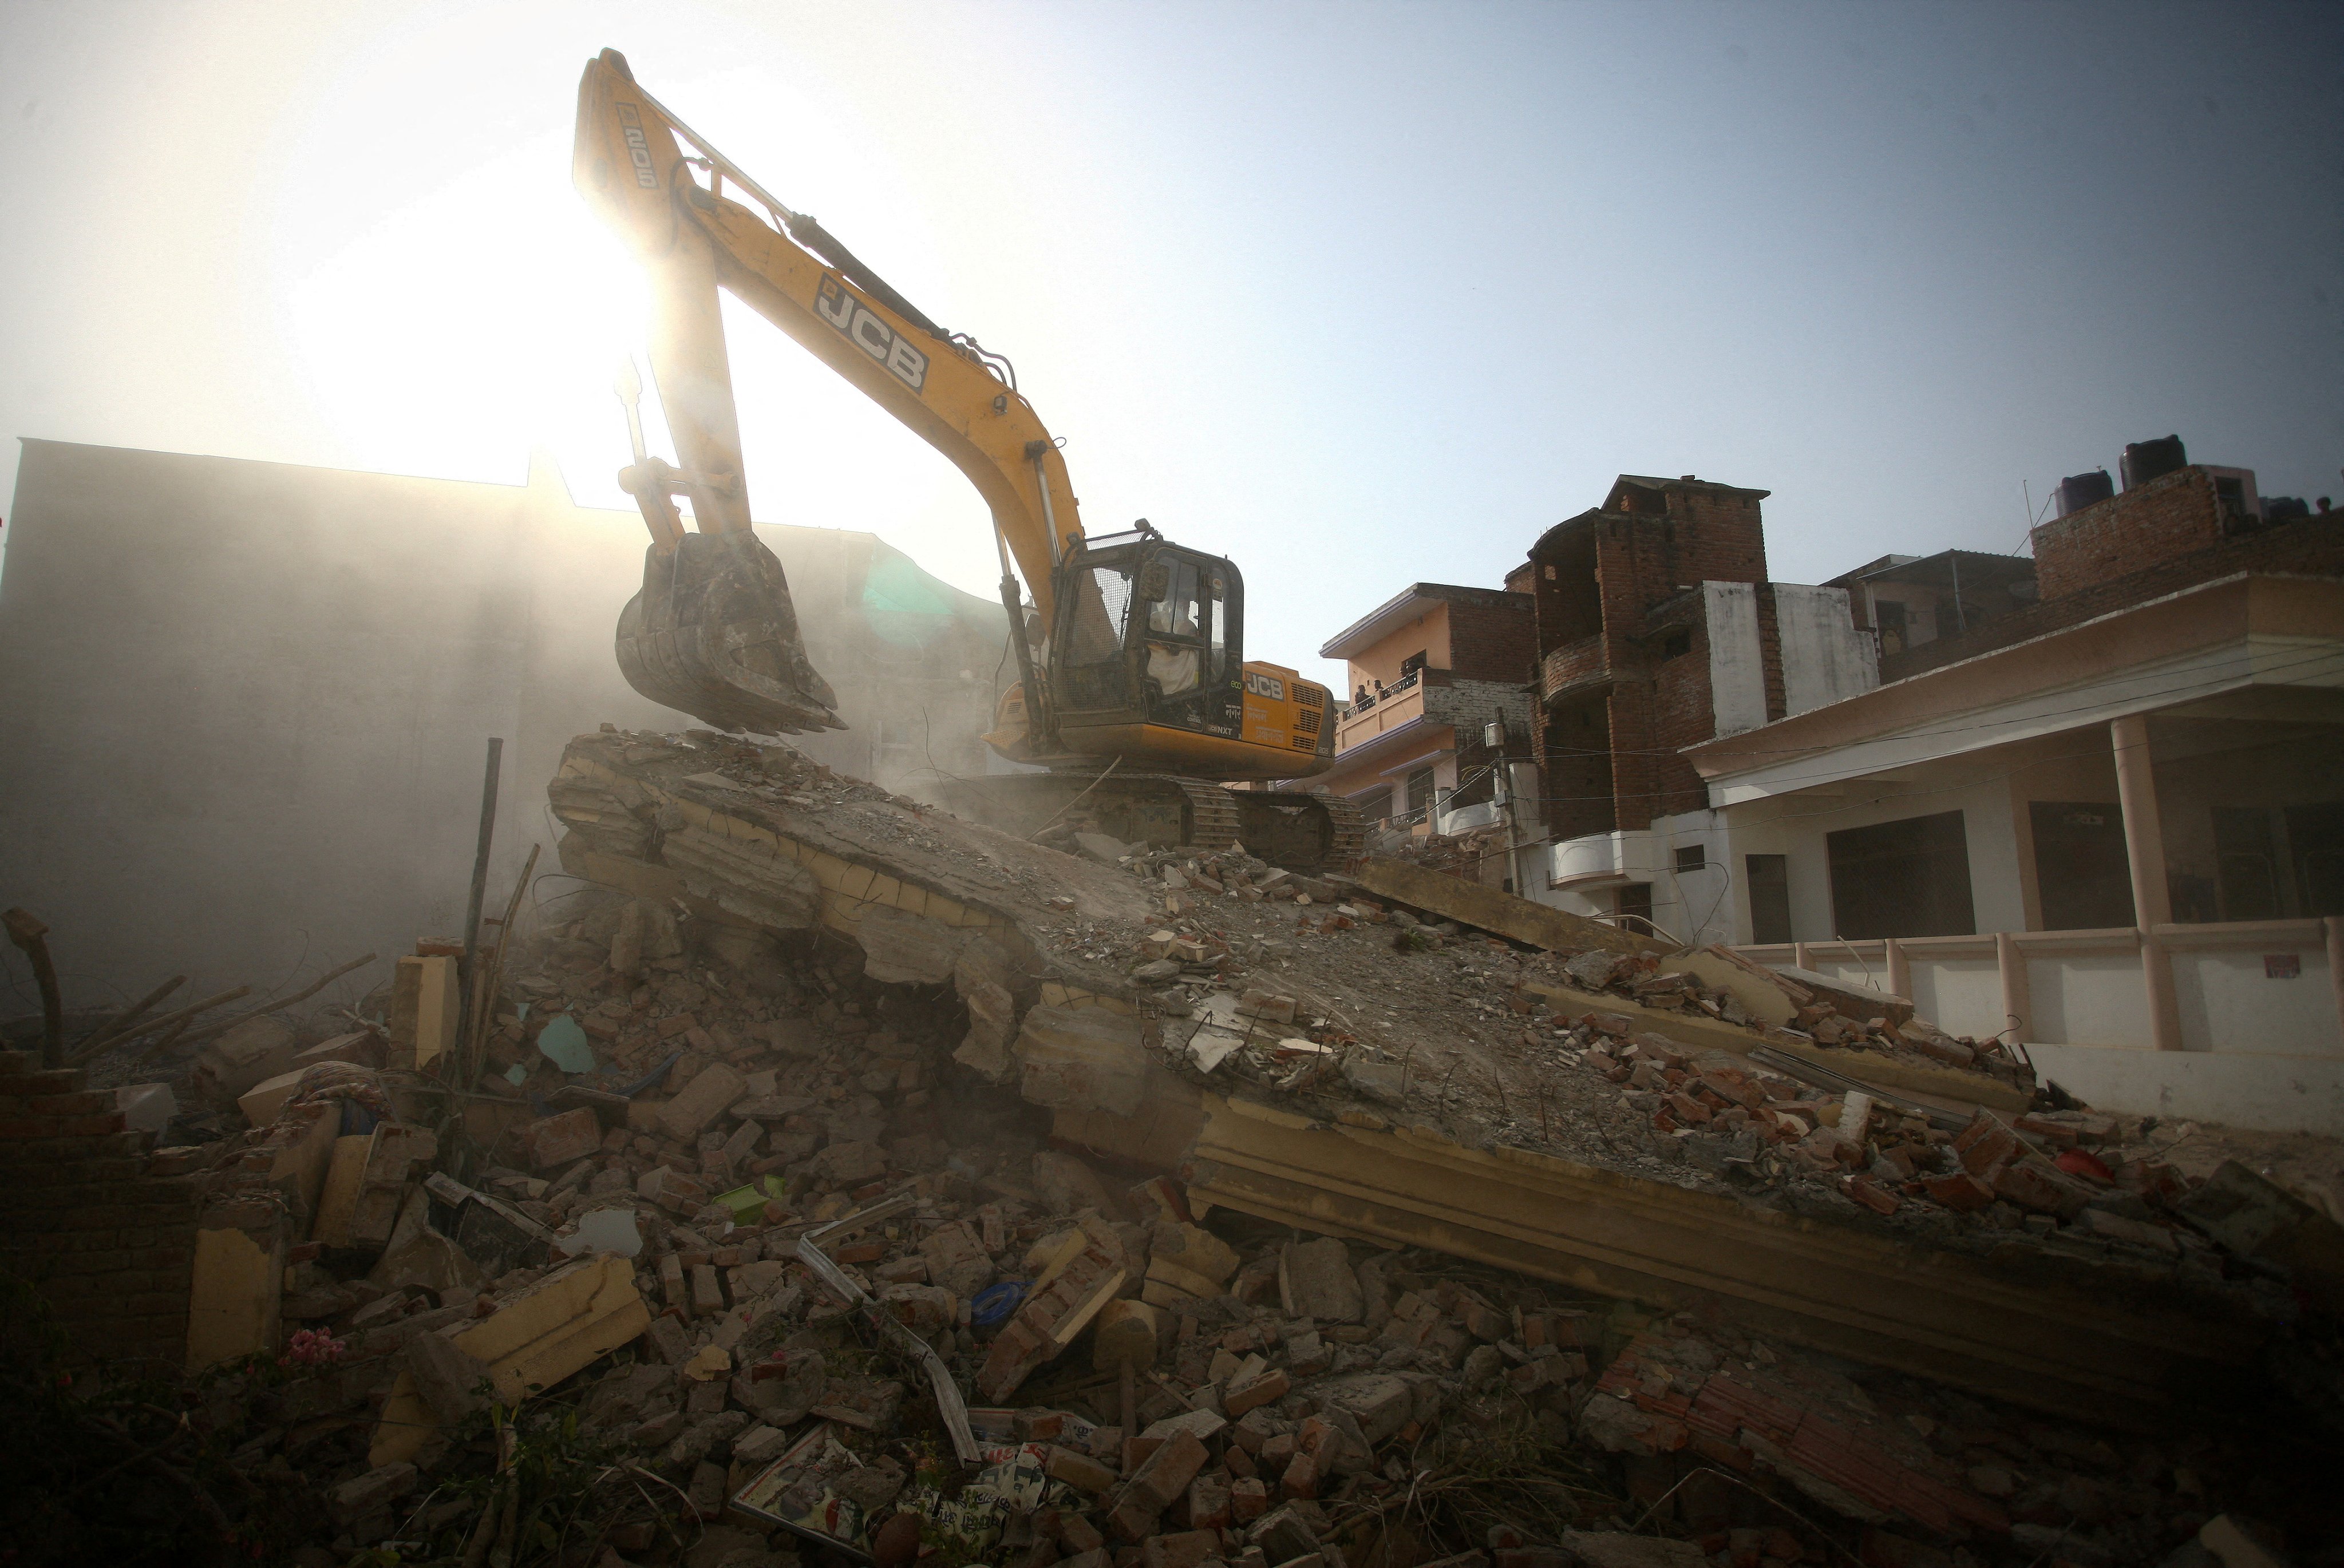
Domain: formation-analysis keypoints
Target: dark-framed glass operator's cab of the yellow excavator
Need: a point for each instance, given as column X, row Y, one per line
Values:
column 1147, row 634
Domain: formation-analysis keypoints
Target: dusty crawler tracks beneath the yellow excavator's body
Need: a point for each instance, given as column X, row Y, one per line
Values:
column 1302, row 833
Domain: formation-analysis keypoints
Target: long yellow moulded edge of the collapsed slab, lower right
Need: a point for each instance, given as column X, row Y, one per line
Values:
column 2092, row 1342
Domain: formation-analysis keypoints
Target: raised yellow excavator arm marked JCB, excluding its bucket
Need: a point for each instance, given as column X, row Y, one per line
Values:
column 693, row 238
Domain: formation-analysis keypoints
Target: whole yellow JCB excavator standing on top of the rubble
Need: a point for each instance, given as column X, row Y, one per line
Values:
column 1133, row 683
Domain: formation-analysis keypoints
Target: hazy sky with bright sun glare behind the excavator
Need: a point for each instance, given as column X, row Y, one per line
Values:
column 1356, row 294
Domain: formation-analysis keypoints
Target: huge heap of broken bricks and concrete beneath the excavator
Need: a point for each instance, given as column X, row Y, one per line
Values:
column 747, row 1241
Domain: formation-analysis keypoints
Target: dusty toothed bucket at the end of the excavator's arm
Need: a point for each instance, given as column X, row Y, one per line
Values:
column 714, row 634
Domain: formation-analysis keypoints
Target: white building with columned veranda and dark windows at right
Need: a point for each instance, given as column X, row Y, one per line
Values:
column 2118, row 843
